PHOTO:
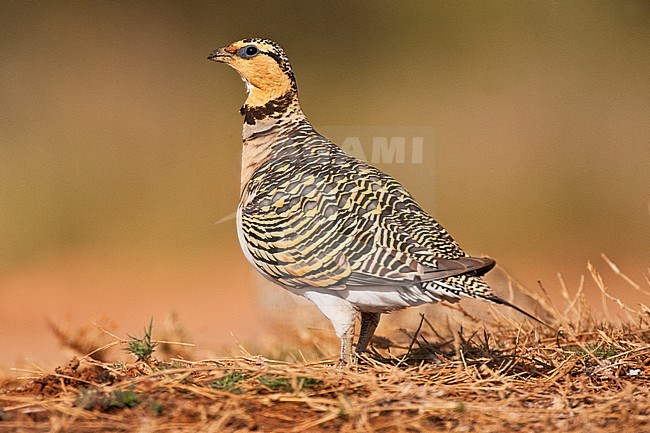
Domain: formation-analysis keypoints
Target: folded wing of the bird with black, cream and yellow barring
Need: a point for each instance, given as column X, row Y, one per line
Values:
column 330, row 220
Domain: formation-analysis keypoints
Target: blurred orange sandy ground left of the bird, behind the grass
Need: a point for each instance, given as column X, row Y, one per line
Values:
column 205, row 294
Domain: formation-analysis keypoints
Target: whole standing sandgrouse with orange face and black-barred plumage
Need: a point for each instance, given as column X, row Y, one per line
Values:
column 328, row 226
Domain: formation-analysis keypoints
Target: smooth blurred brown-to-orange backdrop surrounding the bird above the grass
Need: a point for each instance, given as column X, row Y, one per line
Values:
column 120, row 147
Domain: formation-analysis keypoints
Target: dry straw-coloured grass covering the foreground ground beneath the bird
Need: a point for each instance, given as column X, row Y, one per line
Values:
column 507, row 377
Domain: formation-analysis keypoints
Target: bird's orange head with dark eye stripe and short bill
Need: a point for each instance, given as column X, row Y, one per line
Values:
column 262, row 65
